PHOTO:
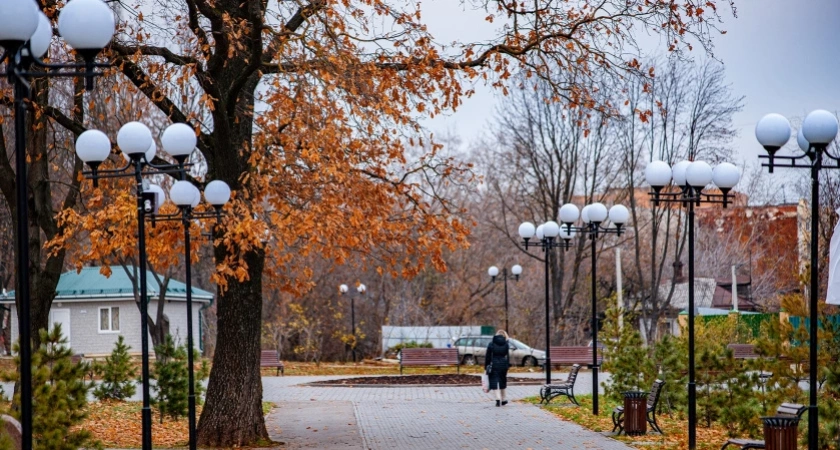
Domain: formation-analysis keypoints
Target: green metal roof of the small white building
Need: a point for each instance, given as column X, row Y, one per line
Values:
column 89, row 283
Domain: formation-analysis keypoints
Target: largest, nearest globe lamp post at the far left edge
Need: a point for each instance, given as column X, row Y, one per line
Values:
column 25, row 35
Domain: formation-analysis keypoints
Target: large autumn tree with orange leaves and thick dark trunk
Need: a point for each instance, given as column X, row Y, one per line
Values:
column 306, row 108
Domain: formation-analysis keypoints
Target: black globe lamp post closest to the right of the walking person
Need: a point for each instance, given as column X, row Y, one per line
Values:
column 549, row 236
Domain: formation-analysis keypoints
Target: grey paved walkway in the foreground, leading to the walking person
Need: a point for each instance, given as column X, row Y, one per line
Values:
column 417, row 418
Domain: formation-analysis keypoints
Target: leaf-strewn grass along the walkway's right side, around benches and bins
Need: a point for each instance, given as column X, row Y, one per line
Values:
column 675, row 426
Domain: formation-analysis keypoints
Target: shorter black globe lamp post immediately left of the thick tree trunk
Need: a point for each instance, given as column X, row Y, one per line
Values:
column 187, row 197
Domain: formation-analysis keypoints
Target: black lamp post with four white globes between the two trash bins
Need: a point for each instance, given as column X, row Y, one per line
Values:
column 689, row 179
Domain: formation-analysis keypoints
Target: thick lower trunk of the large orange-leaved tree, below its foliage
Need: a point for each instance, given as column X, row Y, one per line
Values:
column 232, row 415
